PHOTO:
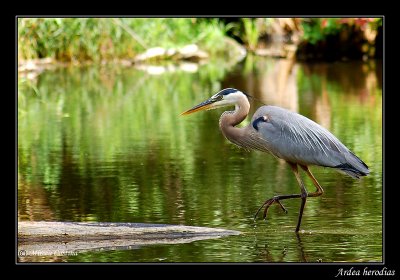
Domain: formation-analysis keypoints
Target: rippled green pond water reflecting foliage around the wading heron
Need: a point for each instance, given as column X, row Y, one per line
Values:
column 107, row 144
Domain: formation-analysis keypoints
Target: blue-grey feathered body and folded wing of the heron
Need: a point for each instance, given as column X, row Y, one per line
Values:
column 297, row 139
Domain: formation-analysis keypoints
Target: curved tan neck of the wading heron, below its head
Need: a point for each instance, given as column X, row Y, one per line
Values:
column 230, row 119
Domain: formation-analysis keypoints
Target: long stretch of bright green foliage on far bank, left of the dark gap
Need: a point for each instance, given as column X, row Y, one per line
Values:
column 77, row 39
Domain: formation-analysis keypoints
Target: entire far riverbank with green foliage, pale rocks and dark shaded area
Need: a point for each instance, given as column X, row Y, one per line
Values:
column 159, row 45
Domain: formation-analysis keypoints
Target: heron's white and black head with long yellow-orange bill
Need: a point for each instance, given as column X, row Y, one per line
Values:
column 225, row 97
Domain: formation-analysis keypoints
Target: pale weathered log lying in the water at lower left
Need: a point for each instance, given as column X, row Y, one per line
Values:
column 70, row 238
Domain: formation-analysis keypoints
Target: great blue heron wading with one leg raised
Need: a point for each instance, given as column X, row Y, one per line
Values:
column 286, row 135
